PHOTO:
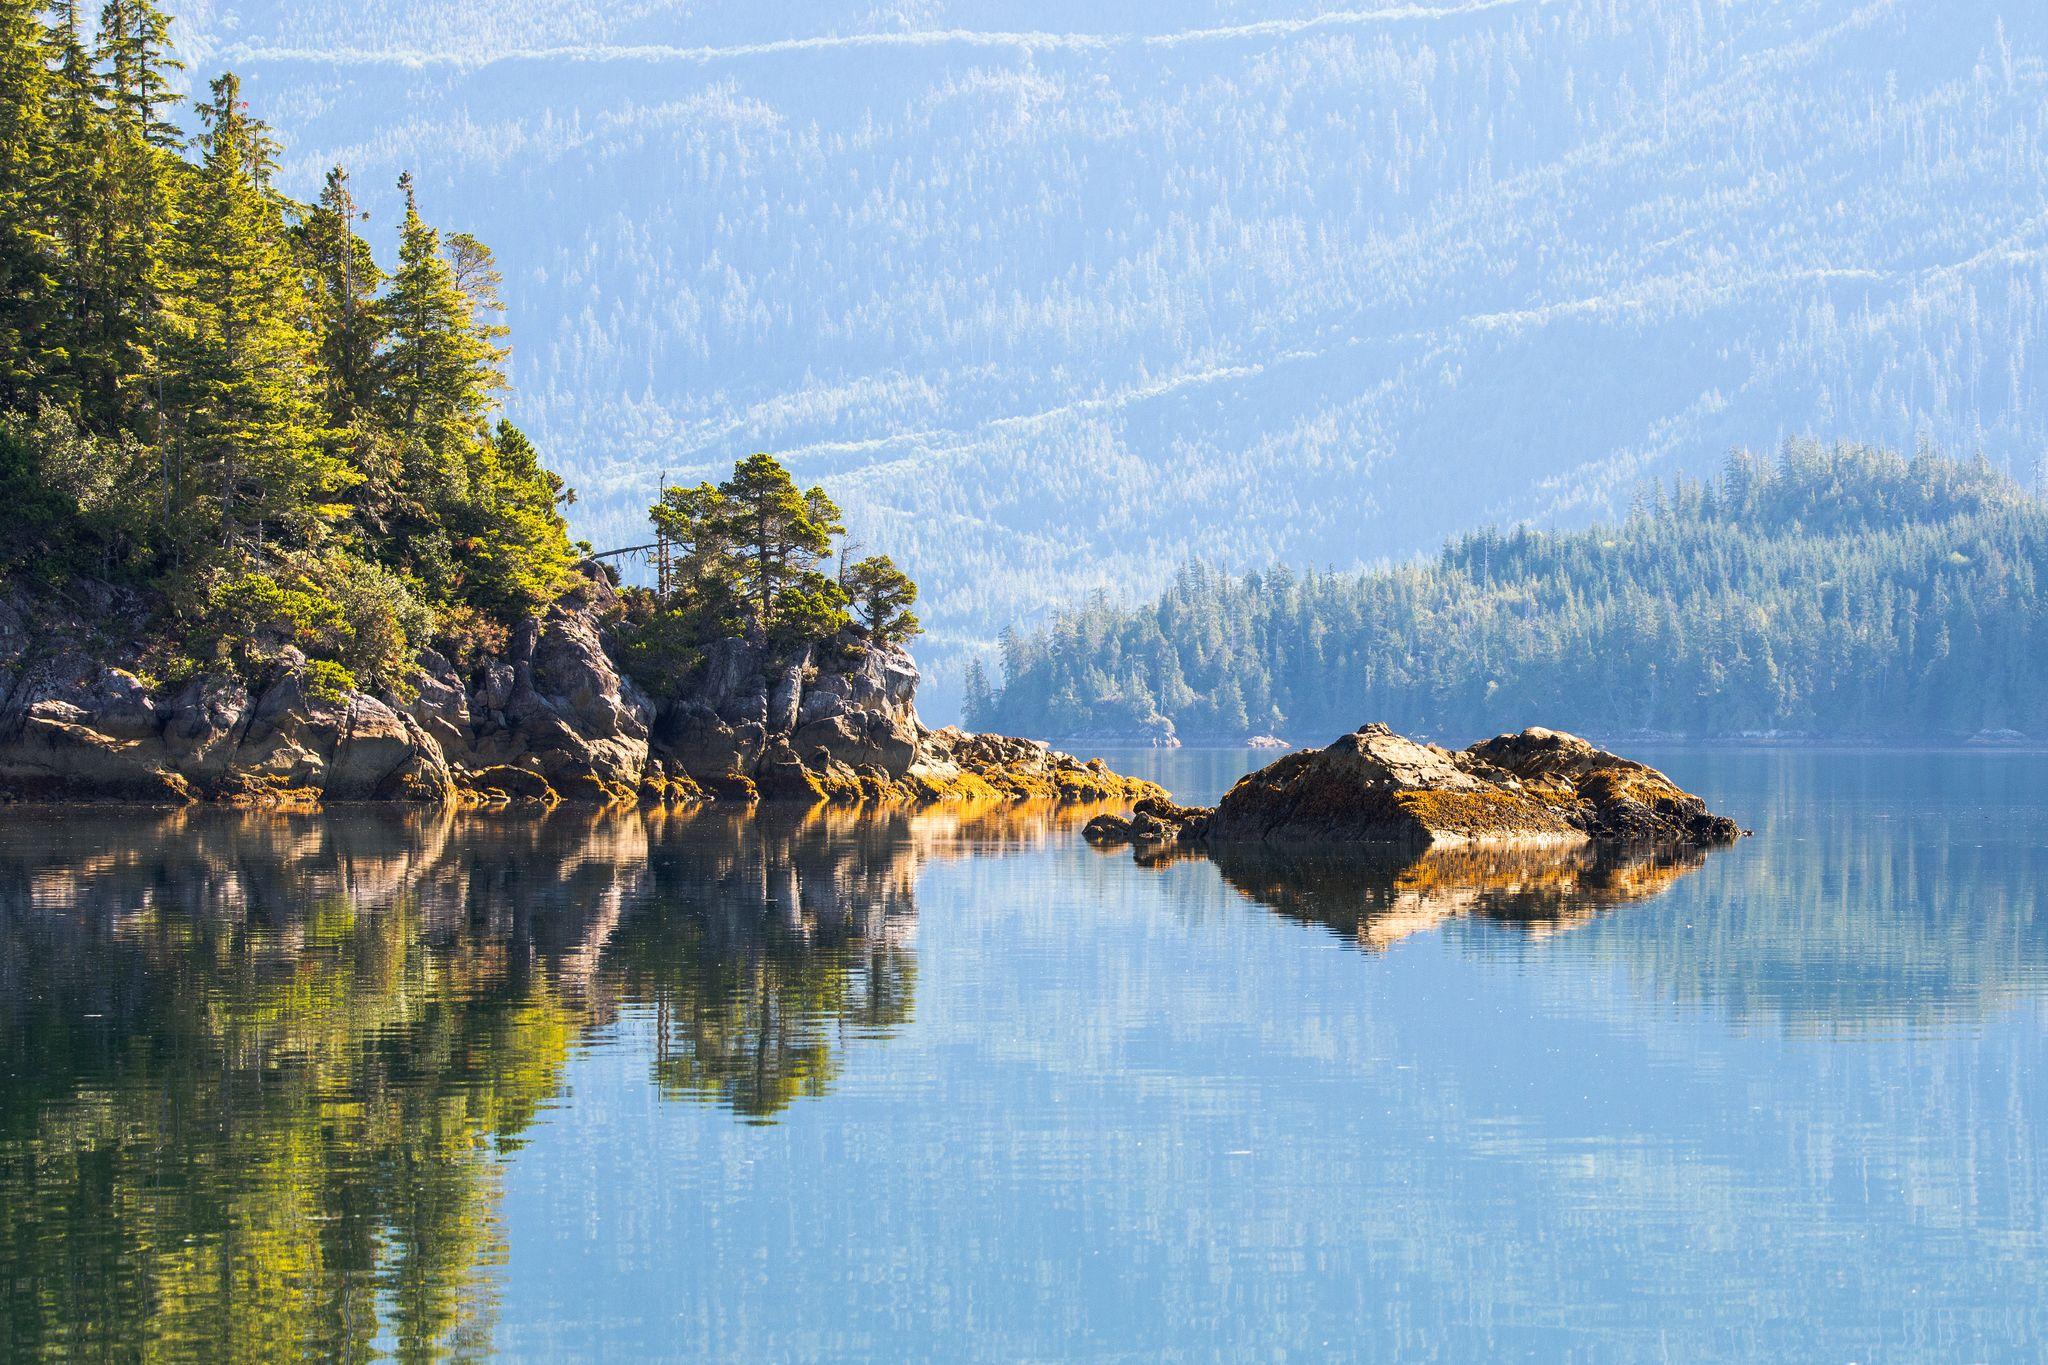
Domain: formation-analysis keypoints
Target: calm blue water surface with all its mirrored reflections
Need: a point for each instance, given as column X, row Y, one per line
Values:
column 368, row 1084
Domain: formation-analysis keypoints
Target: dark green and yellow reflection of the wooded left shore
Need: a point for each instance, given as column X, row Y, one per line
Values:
column 257, row 1071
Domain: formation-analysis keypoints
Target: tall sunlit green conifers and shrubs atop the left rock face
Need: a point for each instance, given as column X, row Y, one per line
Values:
column 220, row 398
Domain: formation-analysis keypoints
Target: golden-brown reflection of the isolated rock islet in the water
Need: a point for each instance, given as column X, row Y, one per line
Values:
column 1377, row 899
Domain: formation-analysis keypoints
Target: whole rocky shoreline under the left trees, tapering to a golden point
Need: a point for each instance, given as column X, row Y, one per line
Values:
column 550, row 719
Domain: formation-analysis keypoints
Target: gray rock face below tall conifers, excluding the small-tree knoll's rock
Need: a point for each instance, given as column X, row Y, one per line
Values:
column 77, row 721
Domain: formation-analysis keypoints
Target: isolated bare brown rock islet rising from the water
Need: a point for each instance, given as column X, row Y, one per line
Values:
column 1539, row 789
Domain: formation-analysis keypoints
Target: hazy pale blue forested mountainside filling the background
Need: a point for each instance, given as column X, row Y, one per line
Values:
column 1054, row 298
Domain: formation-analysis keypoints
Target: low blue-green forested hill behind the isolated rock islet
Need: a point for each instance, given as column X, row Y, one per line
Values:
column 1838, row 592
